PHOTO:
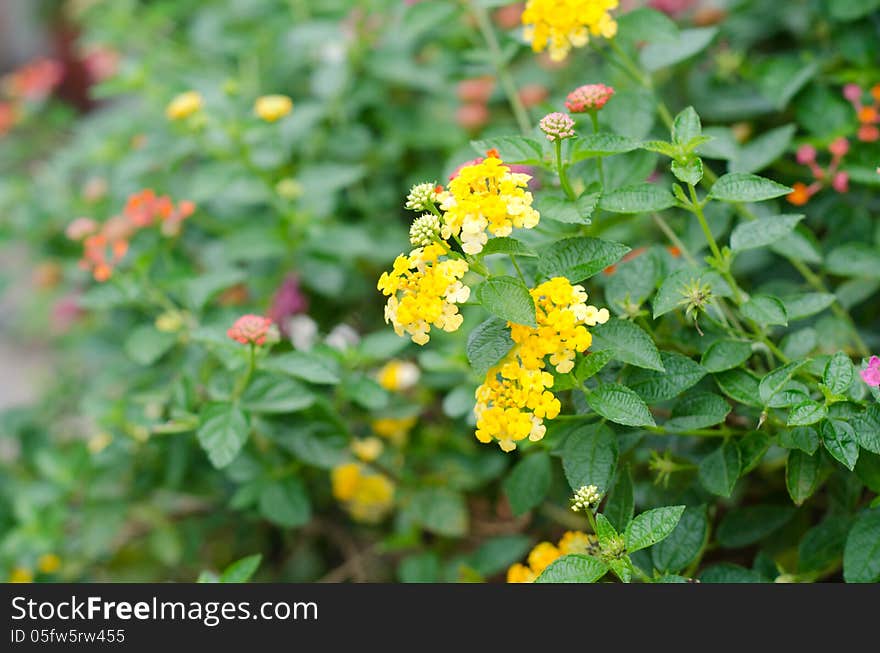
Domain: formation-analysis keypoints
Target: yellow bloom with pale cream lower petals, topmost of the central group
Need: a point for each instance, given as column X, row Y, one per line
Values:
column 486, row 197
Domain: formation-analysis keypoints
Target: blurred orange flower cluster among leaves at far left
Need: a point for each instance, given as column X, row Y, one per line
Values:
column 106, row 244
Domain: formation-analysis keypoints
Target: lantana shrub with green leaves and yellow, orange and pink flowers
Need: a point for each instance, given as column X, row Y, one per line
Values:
column 449, row 291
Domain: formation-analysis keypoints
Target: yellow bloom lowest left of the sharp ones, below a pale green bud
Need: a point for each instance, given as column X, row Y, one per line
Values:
column 423, row 291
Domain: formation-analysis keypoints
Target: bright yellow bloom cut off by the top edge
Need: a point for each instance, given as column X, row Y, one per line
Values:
column 561, row 25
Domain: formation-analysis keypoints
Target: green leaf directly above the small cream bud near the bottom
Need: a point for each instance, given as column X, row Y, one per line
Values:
column 589, row 456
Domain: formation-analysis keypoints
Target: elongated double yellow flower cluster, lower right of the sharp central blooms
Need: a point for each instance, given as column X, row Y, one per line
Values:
column 514, row 400
